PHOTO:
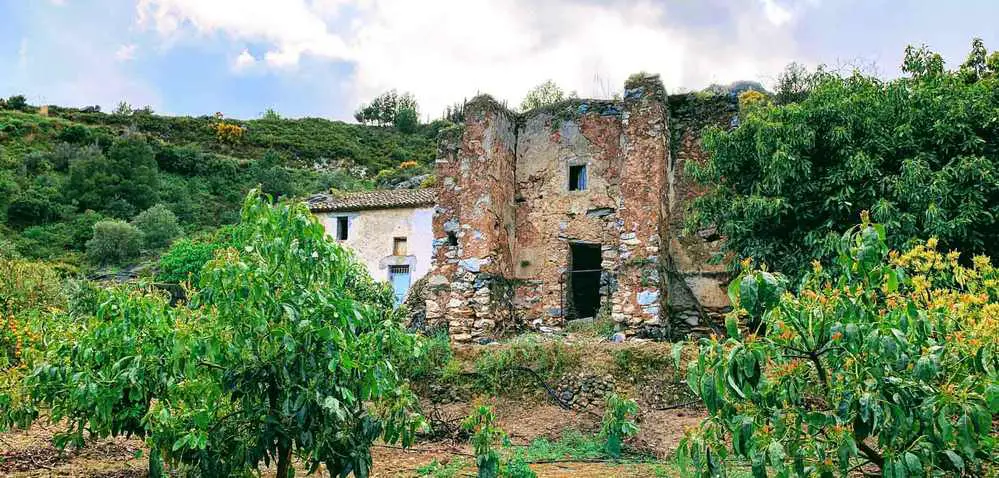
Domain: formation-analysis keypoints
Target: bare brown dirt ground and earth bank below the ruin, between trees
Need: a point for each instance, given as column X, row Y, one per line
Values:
column 642, row 369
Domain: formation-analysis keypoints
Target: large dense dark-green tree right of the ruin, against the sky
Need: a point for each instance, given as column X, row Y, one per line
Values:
column 784, row 182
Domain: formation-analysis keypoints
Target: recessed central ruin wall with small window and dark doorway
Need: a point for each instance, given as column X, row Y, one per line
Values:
column 553, row 213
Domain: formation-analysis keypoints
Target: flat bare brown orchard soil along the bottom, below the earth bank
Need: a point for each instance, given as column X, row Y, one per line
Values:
column 31, row 454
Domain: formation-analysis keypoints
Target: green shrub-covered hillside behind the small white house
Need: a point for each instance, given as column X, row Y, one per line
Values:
column 62, row 173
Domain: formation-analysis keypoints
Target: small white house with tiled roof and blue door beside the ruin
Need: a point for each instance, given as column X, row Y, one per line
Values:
column 391, row 231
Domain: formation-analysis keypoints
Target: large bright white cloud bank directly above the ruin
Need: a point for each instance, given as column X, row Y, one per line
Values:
column 444, row 50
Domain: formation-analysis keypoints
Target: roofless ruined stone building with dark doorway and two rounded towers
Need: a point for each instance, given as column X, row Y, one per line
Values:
column 572, row 211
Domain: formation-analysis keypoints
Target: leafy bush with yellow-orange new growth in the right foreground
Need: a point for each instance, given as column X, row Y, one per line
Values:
column 893, row 362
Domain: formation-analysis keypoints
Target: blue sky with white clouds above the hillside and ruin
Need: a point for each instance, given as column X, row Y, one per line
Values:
column 324, row 57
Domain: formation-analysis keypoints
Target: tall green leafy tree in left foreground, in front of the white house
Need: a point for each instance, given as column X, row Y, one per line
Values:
column 302, row 352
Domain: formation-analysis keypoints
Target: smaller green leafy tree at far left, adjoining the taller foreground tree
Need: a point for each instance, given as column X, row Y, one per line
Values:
column 113, row 362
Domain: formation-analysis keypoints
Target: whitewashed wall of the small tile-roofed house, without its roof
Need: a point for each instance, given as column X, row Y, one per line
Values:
column 371, row 234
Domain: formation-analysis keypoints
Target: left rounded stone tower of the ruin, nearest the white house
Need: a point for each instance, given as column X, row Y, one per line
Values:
column 473, row 222
